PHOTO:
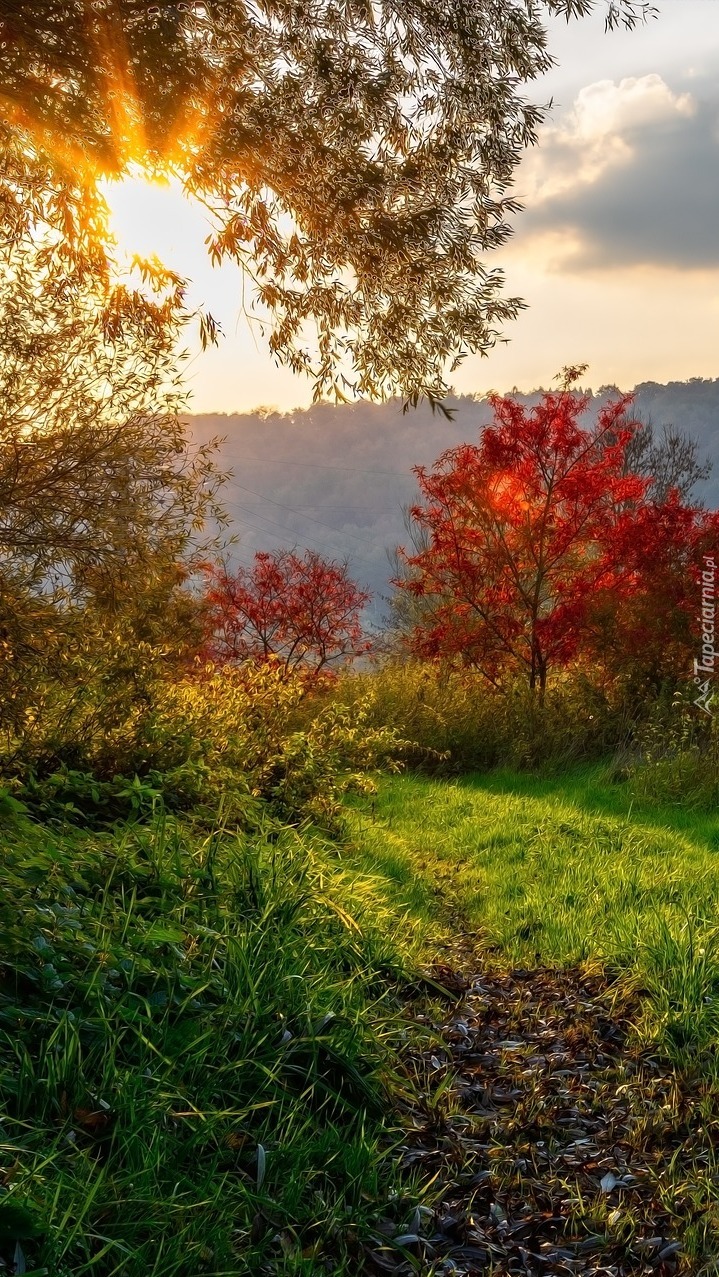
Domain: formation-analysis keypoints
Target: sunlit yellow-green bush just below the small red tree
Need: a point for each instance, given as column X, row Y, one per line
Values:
column 262, row 732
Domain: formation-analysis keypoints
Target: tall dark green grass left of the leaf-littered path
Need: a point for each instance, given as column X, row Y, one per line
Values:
column 193, row 1052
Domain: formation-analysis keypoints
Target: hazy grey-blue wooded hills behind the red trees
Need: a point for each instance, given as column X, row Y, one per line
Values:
column 337, row 478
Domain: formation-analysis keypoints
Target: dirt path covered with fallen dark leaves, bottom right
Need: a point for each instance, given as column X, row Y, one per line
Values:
column 555, row 1145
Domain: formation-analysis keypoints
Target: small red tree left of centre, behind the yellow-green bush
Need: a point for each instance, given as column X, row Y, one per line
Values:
column 291, row 610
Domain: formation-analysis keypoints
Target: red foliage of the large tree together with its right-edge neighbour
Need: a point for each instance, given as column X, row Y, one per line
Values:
column 538, row 546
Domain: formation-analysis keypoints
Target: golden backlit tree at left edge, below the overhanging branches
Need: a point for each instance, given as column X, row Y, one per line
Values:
column 95, row 467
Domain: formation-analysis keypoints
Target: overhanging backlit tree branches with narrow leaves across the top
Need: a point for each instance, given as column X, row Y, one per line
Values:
column 358, row 156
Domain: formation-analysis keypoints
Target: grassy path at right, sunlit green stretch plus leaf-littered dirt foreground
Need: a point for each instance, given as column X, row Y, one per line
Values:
column 569, row 1105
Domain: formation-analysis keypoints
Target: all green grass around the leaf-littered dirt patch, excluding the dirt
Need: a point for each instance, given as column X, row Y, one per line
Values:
column 199, row 1030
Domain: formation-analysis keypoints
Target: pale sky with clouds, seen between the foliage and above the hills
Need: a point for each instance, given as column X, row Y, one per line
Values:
column 616, row 253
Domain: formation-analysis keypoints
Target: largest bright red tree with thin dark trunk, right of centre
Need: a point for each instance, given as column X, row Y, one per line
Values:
column 524, row 532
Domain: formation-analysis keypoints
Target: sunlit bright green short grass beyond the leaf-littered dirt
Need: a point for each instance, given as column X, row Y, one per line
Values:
column 564, row 870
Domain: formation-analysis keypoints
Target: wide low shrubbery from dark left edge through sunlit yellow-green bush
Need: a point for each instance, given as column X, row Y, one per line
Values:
column 224, row 743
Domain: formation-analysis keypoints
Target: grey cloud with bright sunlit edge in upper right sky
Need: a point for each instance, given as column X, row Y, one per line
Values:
column 629, row 178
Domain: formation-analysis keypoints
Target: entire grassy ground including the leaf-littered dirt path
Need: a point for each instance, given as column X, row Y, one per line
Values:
column 477, row 1030
